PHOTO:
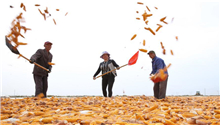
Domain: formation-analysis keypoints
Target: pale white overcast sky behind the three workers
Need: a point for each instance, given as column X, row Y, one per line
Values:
column 91, row 27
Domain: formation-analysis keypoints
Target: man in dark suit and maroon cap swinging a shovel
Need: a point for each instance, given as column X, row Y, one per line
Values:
column 42, row 57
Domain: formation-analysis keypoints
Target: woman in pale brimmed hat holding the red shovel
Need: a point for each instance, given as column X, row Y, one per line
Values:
column 108, row 79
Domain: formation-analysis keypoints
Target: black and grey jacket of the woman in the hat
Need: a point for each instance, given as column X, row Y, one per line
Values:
column 107, row 66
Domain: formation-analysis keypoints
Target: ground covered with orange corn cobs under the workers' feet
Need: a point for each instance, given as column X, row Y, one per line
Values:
column 112, row 111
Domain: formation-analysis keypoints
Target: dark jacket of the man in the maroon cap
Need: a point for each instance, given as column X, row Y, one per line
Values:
column 42, row 57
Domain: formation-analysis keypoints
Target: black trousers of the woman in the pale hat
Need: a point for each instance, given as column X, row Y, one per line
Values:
column 107, row 80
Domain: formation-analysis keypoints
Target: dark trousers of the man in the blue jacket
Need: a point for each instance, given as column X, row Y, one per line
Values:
column 160, row 89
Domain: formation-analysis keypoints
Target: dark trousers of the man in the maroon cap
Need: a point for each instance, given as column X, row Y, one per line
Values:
column 41, row 85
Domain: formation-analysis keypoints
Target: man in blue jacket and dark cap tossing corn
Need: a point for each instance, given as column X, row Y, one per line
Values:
column 157, row 64
